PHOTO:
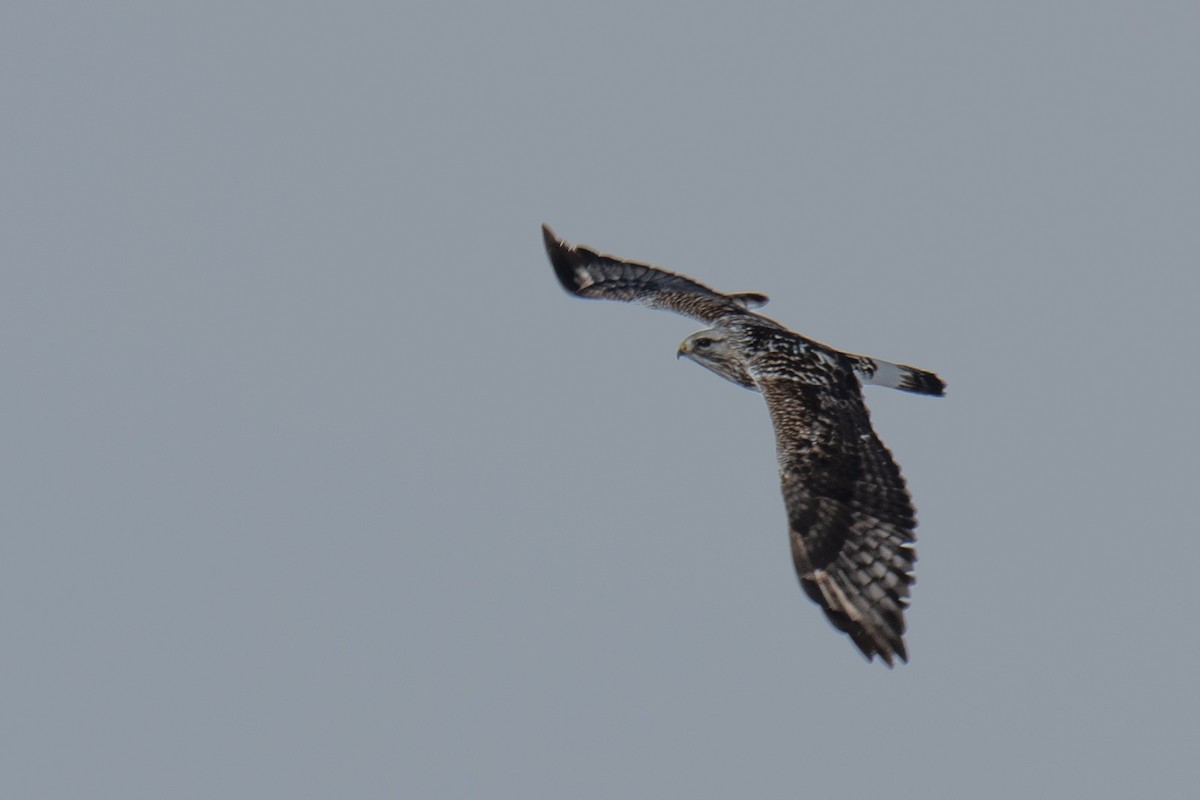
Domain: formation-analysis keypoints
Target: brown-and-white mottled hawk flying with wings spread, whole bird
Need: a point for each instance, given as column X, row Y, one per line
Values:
column 850, row 518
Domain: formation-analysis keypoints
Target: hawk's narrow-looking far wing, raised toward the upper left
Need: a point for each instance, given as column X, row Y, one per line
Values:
column 587, row 274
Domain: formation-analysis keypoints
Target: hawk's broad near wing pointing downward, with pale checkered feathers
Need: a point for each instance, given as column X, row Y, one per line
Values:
column 850, row 518
